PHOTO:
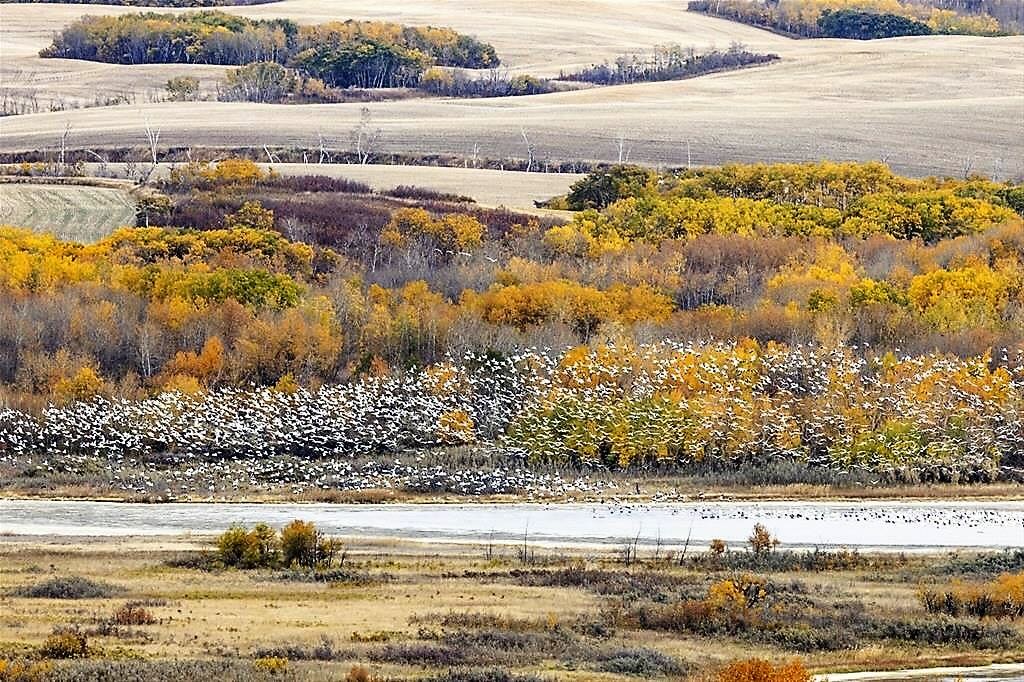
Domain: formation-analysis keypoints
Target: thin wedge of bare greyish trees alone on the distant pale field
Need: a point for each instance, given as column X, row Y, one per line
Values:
column 667, row 63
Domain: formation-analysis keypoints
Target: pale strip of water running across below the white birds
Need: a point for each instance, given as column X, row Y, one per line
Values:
column 867, row 526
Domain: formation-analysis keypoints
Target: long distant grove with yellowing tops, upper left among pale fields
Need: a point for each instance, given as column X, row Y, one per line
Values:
column 340, row 54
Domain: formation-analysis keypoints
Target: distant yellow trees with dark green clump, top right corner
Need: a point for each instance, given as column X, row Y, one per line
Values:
column 857, row 19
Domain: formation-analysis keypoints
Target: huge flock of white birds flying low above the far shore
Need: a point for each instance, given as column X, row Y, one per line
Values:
column 923, row 418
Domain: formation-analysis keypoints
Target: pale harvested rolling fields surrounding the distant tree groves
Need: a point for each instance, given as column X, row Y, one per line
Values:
column 933, row 105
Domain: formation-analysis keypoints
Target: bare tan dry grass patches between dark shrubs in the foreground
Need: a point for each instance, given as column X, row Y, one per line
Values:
column 234, row 614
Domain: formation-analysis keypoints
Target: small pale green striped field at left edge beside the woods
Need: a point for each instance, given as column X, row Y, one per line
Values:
column 72, row 212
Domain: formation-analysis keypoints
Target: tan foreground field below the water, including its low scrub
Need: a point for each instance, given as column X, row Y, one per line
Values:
column 402, row 610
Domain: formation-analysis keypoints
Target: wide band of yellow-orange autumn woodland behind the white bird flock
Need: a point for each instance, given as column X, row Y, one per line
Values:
column 248, row 284
